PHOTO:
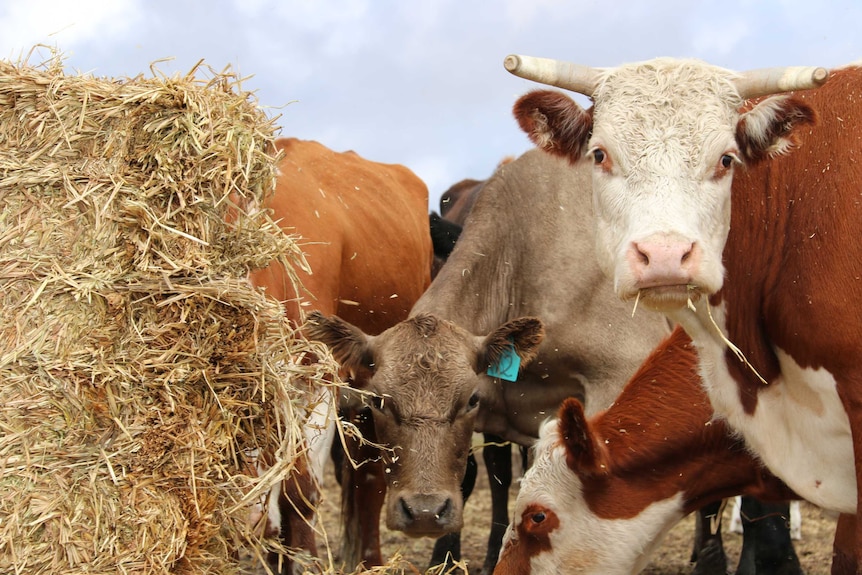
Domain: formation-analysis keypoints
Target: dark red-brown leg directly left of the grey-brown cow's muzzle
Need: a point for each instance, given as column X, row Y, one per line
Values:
column 363, row 490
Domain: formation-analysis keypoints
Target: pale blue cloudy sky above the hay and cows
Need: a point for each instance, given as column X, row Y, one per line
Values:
column 418, row 82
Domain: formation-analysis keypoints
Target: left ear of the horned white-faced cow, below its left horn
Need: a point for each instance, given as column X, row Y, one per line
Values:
column 555, row 123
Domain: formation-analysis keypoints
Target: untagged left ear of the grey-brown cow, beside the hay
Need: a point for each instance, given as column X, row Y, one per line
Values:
column 349, row 345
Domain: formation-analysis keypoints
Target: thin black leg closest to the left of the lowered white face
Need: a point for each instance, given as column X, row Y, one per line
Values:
column 498, row 461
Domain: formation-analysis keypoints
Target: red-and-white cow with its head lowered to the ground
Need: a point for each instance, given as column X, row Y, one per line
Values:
column 629, row 474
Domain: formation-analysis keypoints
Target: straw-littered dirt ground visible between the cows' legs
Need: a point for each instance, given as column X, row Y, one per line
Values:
column 814, row 549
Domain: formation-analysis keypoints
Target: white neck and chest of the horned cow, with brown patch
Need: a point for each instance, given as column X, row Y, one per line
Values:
column 789, row 414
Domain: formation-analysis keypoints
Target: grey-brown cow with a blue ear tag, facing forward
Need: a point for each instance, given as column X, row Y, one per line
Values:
column 515, row 261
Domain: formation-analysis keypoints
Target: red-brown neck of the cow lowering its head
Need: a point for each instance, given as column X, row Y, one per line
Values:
column 662, row 440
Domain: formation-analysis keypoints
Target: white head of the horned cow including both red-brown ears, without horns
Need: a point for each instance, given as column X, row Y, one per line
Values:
column 664, row 137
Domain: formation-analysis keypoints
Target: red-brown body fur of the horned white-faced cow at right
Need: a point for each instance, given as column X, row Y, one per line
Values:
column 802, row 288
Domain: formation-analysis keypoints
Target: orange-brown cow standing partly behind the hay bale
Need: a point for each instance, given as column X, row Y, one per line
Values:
column 364, row 233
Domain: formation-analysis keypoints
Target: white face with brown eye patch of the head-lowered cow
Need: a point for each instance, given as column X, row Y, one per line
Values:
column 555, row 531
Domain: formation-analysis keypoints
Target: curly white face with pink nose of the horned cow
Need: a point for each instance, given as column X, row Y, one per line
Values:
column 663, row 156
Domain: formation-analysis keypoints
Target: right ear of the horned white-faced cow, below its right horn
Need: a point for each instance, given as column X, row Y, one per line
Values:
column 770, row 128
